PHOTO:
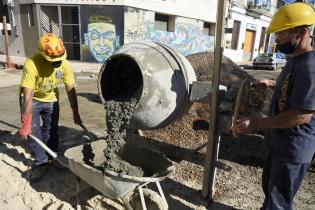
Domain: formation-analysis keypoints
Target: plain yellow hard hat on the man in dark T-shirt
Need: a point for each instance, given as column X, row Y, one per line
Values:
column 291, row 16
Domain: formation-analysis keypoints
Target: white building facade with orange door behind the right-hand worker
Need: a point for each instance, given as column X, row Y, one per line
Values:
column 246, row 25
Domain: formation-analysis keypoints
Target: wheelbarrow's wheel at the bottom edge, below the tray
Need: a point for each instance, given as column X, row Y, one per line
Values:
column 153, row 200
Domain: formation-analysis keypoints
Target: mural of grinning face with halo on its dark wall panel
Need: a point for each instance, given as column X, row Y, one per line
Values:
column 101, row 30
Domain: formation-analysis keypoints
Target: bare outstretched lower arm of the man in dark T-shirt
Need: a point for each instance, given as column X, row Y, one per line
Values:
column 288, row 119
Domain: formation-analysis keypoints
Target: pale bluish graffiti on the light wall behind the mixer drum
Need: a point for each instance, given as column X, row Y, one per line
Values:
column 187, row 39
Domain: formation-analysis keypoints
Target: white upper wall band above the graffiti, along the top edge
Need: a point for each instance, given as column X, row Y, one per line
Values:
column 197, row 9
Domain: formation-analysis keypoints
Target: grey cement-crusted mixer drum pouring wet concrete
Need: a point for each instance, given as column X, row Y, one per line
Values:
column 156, row 75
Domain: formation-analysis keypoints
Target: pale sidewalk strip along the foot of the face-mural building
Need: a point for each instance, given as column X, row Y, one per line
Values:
column 76, row 65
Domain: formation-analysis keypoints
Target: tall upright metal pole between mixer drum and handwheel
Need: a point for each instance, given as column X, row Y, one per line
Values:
column 214, row 134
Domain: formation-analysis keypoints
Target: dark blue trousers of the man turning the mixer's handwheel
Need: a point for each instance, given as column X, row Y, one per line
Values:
column 280, row 182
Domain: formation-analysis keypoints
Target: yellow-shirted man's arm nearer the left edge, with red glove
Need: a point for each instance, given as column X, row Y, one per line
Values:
column 26, row 113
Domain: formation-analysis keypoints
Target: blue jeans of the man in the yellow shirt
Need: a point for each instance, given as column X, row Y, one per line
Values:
column 48, row 113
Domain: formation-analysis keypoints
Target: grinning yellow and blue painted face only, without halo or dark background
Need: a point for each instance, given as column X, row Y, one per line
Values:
column 101, row 40
